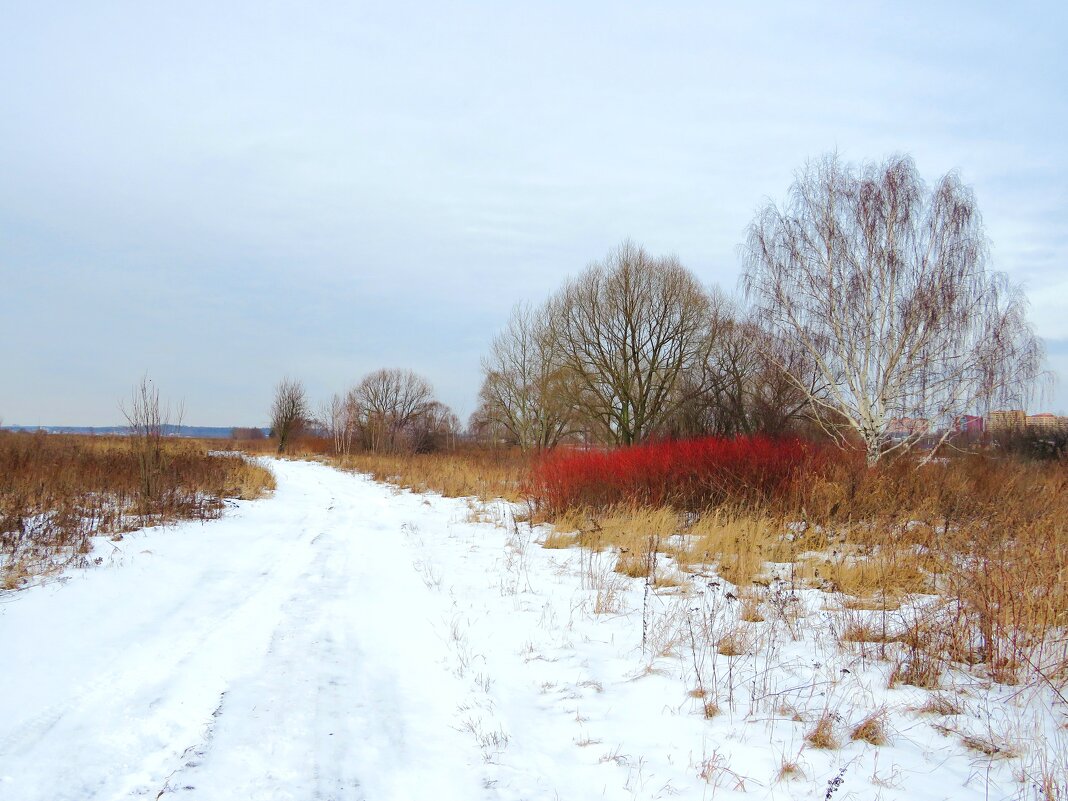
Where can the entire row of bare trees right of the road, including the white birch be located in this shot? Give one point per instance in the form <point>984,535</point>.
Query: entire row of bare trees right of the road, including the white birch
<point>870,319</point>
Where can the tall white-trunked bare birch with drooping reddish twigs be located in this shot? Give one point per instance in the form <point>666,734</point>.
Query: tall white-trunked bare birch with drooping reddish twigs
<point>884,287</point>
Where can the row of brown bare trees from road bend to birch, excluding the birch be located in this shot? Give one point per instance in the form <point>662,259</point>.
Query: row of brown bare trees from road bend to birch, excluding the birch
<point>633,349</point>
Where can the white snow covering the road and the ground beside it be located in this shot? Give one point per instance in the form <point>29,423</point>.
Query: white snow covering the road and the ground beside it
<point>344,641</point>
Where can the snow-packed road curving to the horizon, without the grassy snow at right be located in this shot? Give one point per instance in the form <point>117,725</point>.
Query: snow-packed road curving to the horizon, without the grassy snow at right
<point>288,651</point>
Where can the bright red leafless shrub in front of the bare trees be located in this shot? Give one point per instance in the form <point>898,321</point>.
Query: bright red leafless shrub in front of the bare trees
<point>689,475</point>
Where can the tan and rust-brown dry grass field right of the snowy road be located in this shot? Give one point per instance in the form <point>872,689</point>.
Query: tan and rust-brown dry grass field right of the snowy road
<point>990,536</point>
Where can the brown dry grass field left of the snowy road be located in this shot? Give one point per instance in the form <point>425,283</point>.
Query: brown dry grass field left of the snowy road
<point>59,491</point>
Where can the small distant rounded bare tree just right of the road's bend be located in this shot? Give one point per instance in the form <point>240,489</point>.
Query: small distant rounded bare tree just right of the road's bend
<point>388,403</point>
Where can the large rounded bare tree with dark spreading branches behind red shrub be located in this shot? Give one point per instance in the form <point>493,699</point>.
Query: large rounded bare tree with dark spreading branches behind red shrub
<point>630,329</point>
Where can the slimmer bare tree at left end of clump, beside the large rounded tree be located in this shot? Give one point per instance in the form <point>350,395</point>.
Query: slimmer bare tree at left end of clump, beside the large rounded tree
<point>524,390</point>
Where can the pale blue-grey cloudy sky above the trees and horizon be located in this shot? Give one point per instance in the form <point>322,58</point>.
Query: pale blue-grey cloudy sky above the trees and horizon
<point>219,195</point>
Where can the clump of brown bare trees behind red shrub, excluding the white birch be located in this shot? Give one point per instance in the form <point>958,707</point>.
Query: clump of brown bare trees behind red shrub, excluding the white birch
<point>636,349</point>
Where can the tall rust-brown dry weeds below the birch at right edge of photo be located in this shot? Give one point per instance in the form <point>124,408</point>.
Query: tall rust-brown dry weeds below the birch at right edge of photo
<point>992,537</point>
